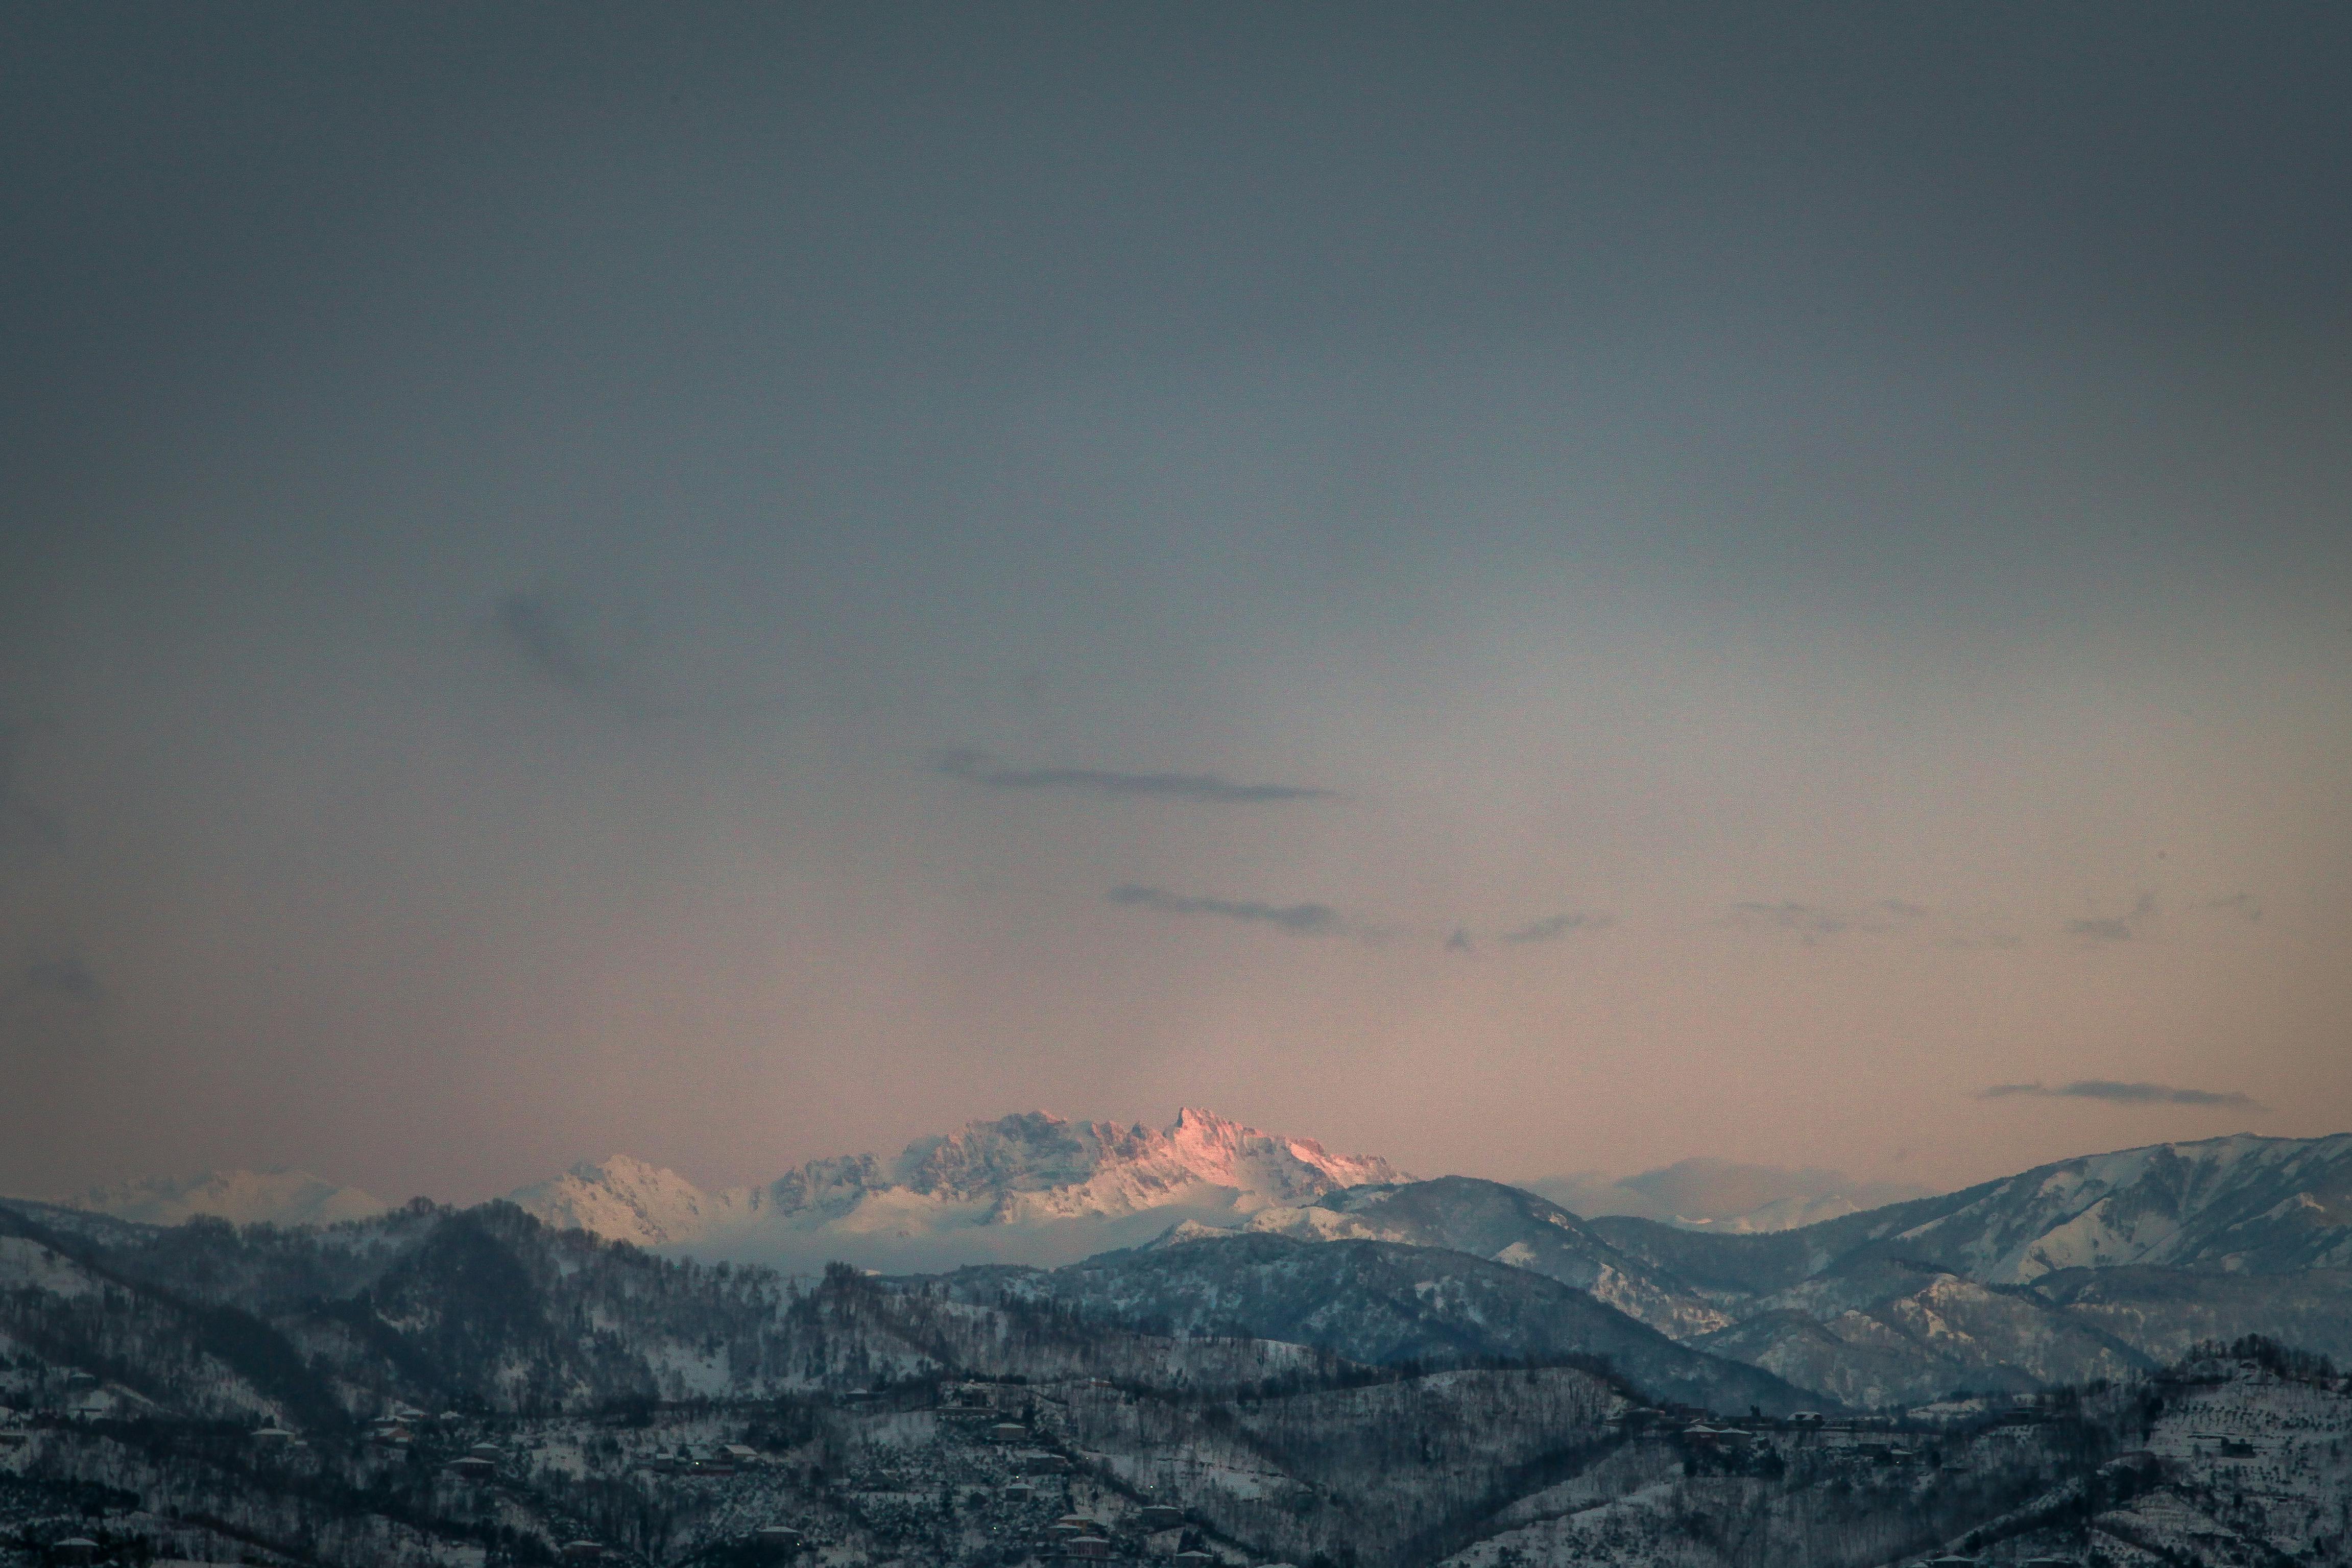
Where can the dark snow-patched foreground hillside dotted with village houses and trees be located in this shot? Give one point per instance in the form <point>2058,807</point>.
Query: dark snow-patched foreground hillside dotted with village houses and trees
<point>2229,1459</point>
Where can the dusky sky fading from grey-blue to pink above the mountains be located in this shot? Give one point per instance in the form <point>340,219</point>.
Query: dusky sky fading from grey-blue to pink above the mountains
<point>1516,589</point>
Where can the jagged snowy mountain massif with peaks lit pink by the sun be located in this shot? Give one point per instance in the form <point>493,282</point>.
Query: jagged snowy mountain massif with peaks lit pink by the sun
<point>1029,1188</point>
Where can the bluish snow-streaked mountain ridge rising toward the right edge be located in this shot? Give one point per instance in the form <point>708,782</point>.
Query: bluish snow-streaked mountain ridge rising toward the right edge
<point>2083,1268</point>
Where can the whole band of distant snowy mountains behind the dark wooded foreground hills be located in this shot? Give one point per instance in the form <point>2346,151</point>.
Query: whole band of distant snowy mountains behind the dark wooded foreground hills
<point>2085,1268</point>
